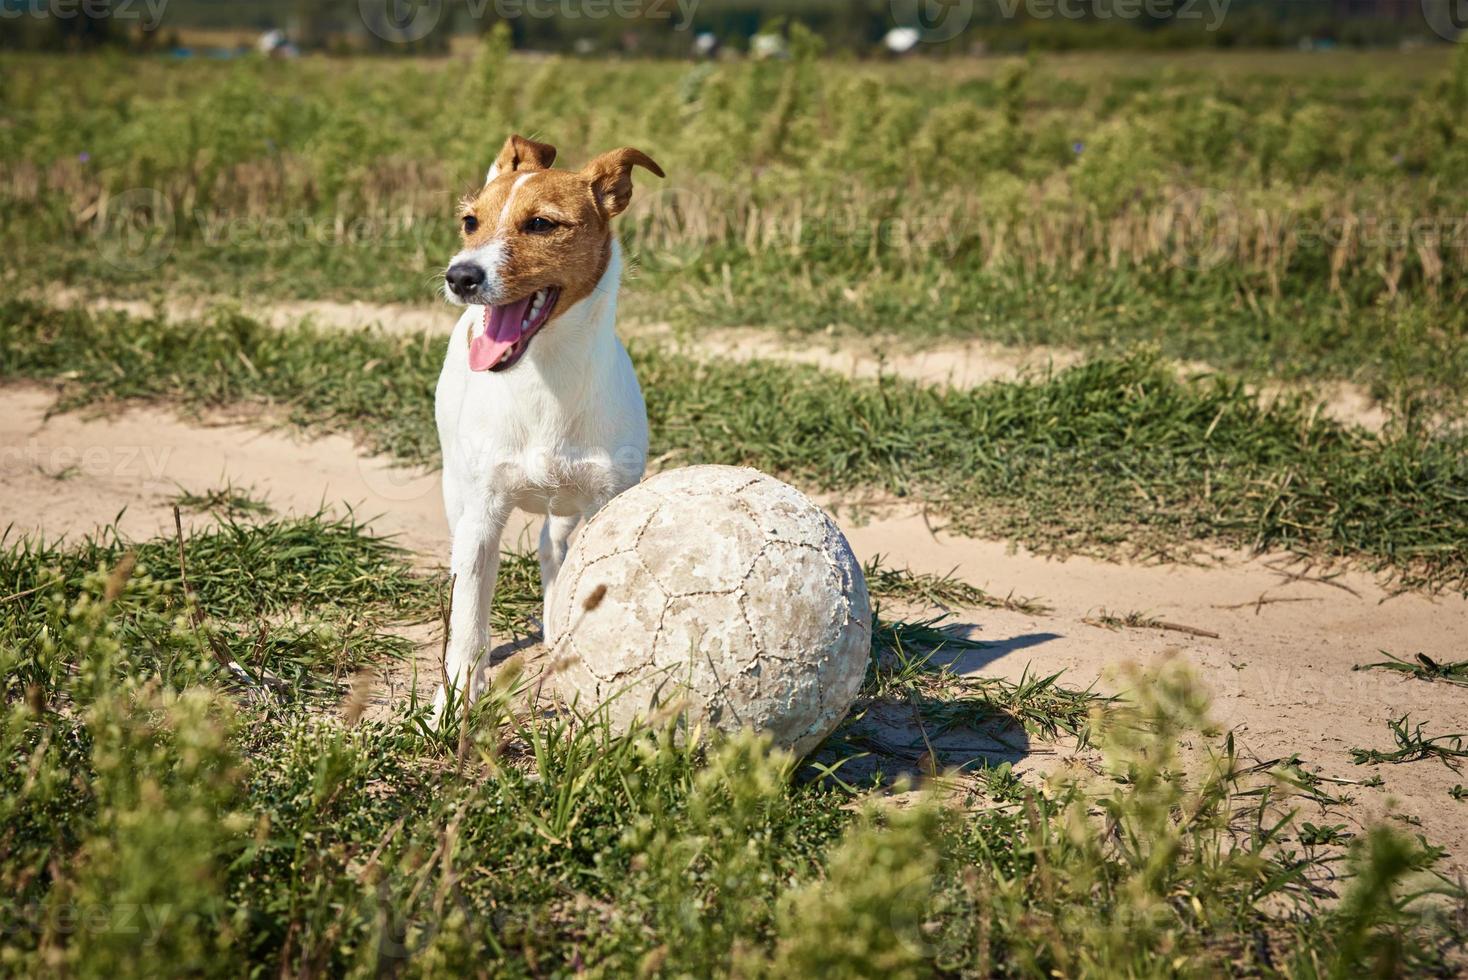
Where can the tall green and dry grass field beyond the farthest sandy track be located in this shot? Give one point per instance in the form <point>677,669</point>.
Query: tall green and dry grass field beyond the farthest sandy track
<point>1285,216</point>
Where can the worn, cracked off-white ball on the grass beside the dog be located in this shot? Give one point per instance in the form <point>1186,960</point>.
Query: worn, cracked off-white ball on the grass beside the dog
<point>717,596</point>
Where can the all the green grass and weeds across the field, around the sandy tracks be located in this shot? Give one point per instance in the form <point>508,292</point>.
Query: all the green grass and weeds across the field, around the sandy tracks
<point>158,822</point>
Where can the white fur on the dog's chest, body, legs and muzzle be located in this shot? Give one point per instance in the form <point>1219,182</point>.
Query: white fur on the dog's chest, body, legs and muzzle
<point>560,434</point>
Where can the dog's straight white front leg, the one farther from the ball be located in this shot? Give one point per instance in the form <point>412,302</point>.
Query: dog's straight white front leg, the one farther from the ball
<point>475,566</point>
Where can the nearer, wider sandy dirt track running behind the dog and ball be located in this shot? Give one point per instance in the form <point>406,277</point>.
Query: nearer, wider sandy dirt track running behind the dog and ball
<point>1281,670</point>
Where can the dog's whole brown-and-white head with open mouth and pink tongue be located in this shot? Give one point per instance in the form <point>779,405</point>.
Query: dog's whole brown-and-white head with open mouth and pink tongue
<point>537,241</point>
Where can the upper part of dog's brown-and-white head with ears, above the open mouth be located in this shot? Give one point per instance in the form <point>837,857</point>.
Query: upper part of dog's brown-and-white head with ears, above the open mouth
<point>532,228</point>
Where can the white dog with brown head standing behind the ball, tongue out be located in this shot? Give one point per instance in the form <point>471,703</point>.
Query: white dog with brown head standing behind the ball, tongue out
<point>538,406</point>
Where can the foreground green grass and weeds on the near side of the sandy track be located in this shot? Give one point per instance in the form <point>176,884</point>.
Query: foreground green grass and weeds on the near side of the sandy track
<point>159,827</point>
